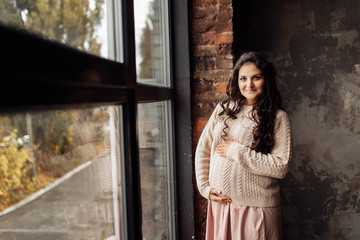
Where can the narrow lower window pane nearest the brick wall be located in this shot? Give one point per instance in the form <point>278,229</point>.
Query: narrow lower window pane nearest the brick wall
<point>156,171</point>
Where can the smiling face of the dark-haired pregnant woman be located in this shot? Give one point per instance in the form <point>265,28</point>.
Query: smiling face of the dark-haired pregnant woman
<point>251,82</point>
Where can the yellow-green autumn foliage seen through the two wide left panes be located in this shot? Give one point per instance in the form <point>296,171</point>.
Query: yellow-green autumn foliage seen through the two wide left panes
<point>71,22</point>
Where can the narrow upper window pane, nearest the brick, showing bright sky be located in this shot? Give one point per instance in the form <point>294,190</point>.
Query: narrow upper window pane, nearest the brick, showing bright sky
<point>152,42</point>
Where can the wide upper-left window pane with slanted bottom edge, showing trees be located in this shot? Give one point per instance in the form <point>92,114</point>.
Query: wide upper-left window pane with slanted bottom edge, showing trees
<point>83,24</point>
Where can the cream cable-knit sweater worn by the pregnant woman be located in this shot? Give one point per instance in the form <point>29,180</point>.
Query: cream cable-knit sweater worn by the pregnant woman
<point>248,177</point>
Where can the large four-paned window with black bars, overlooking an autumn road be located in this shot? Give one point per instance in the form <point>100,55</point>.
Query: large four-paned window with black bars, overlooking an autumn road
<point>86,131</point>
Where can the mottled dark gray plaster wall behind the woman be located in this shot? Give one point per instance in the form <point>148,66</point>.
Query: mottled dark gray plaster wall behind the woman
<point>315,47</point>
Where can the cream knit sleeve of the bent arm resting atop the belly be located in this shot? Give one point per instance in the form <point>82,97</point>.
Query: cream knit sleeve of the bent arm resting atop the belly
<point>275,164</point>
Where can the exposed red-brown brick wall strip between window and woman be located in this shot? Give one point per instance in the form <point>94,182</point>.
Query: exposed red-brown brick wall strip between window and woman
<point>212,62</point>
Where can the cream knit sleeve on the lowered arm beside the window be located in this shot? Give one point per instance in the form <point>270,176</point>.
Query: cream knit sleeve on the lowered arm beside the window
<point>203,152</point>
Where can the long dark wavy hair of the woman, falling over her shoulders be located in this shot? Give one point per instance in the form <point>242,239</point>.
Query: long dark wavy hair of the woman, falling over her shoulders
<point>263,111</point>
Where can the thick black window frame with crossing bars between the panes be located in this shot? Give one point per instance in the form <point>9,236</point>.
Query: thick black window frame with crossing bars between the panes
<point>38,74</point>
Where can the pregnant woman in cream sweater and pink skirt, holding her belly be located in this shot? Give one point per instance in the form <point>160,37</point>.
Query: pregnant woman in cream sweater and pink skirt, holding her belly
<point>244,148</point>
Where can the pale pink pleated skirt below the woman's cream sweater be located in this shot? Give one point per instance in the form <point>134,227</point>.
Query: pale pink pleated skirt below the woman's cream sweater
<point>231,221</point>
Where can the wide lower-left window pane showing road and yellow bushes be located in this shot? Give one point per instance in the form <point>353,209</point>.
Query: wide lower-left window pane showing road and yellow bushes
<point>60,175</point>
